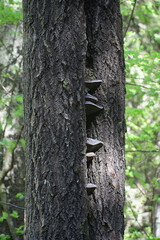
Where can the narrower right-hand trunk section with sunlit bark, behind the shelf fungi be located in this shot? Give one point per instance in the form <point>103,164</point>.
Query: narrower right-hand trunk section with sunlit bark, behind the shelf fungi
<point>105,60</point>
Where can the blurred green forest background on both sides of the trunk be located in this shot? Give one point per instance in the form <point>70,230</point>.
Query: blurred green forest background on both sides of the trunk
<point>141,30</point>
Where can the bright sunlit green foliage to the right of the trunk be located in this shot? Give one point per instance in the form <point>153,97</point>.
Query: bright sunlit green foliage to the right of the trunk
<point>142,111</point>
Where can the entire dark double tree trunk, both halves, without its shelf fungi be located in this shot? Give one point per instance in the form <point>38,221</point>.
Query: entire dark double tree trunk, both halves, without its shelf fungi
<point>66,43</point>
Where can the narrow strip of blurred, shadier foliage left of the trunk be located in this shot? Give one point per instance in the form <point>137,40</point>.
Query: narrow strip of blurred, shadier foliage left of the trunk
<point>11,108</point>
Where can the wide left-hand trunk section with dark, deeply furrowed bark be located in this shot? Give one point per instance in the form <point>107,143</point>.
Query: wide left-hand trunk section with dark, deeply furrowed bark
<point>54,67</point>
